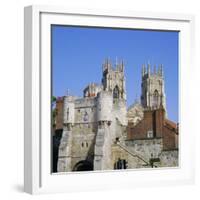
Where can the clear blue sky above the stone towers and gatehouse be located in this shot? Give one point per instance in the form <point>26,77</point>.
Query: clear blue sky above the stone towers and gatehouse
<point>78,54</point>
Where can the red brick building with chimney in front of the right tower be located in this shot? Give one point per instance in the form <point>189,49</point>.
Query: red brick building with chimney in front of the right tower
<point>155,125</point>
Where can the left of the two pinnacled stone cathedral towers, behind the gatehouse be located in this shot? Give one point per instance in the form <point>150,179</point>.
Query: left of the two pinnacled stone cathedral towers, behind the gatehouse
<point>113,79</point>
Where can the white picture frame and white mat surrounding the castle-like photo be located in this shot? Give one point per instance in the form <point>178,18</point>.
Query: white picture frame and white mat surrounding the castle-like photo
<point>37,146</point>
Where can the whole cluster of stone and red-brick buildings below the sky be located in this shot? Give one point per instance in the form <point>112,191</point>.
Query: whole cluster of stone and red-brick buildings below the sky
<point>100,133</point>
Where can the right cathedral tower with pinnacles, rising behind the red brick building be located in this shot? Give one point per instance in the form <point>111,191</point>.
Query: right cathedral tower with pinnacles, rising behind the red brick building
<point>153,91</point>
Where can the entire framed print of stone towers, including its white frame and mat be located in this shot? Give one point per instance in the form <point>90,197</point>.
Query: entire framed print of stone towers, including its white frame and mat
<point>105,99</point>
